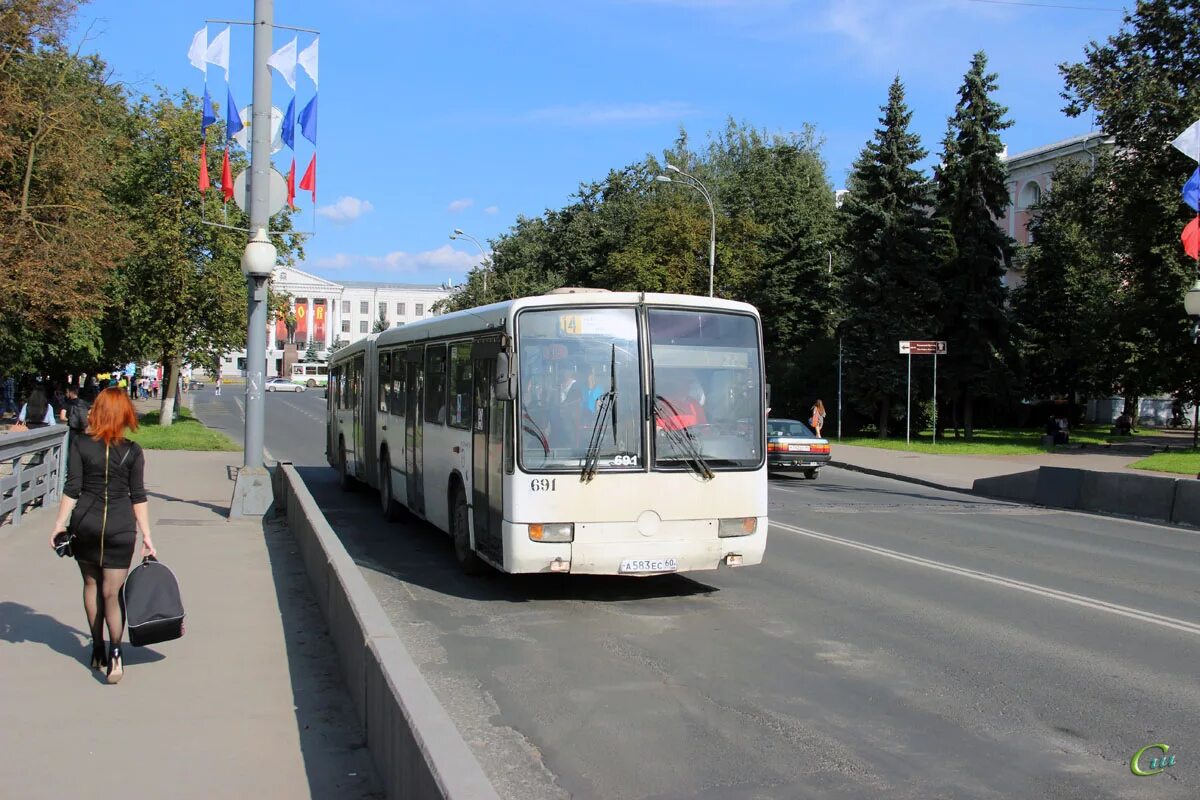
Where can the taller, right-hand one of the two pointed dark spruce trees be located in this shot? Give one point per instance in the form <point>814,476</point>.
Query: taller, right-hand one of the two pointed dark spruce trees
<point>974,252</point>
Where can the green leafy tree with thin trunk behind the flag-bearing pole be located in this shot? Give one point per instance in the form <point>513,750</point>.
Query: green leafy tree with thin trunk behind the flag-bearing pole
<point>182,296</point>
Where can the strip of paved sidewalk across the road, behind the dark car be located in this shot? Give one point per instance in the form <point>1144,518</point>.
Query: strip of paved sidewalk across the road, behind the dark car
<point>959,473</point>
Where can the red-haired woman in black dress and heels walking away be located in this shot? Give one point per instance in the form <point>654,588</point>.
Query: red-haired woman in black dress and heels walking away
<point>105,501</point>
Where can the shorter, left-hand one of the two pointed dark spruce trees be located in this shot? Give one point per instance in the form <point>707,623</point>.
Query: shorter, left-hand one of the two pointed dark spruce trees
<point>890,288</point>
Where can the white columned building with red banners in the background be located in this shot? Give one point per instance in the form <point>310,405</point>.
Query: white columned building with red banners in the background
<point>329,312</point>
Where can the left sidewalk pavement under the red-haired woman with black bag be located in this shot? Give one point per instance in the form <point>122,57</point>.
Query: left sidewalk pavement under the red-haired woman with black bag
<point>249,705</point>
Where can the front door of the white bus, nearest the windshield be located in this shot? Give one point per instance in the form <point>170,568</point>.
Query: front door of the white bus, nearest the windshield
<point>488,453</point>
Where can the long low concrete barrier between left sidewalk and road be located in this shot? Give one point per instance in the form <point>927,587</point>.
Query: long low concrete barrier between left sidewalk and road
<point>416,747</point>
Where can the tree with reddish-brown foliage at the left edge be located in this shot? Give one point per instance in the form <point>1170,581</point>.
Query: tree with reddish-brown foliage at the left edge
<point>63,135</point>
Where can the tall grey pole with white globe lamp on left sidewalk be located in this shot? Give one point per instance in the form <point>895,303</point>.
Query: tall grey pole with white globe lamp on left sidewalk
<point>253,489</point>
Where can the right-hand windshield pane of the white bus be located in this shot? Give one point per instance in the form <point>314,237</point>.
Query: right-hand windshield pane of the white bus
<point>707,389</point>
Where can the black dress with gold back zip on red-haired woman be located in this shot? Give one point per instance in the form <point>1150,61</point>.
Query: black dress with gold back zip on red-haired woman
<point>105,539</point>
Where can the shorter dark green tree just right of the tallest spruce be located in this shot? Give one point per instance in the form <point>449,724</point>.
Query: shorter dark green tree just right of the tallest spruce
<point>1066,305</point>
